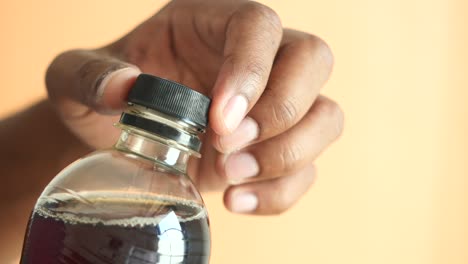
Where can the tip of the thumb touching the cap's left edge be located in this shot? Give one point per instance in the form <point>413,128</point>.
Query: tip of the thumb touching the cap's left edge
<point>113,91</point>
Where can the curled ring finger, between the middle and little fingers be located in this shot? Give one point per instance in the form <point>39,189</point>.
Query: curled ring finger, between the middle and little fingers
<point>289,152</point>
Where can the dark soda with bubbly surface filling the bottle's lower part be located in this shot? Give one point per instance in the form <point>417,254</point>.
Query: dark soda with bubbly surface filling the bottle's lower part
<point>108,228</point>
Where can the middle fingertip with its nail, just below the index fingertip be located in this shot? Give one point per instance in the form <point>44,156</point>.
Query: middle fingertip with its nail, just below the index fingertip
<point>244,134</point>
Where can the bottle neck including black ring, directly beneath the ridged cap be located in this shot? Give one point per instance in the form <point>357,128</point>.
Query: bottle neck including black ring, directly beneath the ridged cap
<point>158,137</point>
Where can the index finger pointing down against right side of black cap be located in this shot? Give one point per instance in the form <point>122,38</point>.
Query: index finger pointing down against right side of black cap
<point>253,34</point>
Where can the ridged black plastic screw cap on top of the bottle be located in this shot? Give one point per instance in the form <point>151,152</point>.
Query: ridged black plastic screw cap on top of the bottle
<point>170,98</point>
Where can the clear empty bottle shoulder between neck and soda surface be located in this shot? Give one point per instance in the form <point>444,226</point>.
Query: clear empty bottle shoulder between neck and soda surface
<point>122,173</point>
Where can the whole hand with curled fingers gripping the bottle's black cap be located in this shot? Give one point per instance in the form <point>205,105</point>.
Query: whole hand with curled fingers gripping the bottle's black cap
<point>268,122</point>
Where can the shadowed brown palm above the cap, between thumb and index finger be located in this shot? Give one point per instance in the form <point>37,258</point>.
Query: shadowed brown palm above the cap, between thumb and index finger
<point>173,50</point>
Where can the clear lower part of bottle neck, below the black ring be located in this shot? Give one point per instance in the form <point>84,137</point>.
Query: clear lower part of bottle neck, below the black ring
<point>132,141</point>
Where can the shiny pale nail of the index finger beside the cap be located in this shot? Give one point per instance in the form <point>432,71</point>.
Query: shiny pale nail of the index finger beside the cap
<point>234,112</point>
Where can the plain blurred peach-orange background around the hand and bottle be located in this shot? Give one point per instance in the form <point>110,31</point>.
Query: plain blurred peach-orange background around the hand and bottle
<point>392,190</point>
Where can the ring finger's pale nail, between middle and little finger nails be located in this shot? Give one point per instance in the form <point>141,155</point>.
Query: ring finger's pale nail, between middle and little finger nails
<point>240,166</point>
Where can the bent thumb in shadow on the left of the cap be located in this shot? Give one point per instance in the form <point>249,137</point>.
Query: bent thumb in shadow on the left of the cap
<point>91,79</point>
